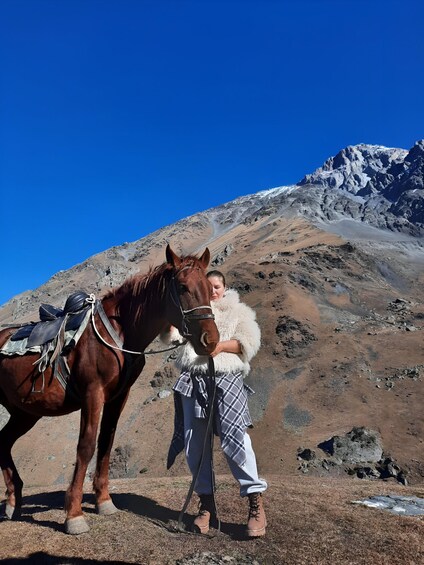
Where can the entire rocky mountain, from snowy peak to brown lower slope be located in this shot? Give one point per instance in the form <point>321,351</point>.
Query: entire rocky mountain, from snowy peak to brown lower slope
<point>334,267</point>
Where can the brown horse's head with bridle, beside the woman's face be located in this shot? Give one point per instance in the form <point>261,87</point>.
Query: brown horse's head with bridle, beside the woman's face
<point>188,304</point>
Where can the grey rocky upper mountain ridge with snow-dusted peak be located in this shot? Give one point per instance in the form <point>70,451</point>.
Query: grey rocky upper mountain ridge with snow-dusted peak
<point>347,186</point>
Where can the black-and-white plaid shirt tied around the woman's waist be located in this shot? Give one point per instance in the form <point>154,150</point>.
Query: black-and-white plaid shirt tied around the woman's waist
<point>231,411</point>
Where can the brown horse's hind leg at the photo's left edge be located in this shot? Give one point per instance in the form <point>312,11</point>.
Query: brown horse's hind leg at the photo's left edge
<point>19,424</point>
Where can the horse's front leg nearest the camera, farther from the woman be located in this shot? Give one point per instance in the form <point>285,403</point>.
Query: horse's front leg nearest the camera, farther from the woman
<point>90,415</point>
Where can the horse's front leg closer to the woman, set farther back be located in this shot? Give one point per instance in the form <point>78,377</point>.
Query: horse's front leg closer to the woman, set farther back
<point>111,413</point>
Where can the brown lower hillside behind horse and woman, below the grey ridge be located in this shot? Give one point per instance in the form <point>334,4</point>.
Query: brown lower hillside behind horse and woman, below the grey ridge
<point>335,348</point>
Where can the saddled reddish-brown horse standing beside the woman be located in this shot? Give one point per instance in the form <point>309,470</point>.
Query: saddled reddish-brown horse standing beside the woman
<point>176,293</point>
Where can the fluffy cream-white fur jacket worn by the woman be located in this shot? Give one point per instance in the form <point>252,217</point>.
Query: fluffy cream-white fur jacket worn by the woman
<point>234,320</point>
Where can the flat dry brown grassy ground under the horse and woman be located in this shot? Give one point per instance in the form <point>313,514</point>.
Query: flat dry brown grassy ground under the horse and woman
<point>310,521</point>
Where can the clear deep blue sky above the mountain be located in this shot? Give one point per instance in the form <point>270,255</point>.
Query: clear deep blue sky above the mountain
<point>120,117</point>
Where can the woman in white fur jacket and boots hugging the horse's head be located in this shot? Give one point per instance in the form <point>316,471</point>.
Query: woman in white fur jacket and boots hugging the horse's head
<point>239,342</point>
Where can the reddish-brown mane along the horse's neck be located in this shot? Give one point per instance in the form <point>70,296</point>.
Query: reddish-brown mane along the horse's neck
<point>136,293</point>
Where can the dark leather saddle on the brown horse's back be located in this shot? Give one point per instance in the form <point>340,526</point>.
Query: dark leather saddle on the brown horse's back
<point>54,321</point>
